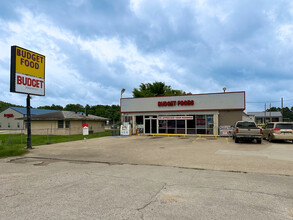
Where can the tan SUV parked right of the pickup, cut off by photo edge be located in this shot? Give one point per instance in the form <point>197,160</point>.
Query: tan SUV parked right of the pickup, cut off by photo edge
<point>278,131</point>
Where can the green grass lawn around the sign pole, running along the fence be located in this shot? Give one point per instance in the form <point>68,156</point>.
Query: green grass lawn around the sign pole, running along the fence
<point>15,144</point>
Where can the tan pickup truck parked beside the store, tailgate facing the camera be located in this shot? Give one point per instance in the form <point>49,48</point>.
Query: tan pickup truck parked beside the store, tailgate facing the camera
<point>246,130</point>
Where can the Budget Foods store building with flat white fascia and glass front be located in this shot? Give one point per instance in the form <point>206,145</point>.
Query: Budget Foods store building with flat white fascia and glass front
<point>186,114</point>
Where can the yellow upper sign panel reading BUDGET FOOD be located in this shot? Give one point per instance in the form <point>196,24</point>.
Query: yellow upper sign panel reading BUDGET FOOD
<point>29,63</point>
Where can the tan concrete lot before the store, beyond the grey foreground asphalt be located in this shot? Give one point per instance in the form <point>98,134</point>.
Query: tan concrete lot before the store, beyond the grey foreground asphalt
<point>211,154</point>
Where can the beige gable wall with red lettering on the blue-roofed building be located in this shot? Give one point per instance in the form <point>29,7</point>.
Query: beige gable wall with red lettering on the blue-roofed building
<point>13,122</point>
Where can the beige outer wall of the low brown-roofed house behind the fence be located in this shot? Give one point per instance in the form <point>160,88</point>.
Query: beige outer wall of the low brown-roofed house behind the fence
<point>51,127</point>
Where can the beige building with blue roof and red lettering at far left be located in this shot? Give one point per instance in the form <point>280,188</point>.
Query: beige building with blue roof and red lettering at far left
<point>10,117</point>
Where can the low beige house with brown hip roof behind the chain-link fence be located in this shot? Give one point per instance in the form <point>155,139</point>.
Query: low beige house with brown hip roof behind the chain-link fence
<point>66,123</point>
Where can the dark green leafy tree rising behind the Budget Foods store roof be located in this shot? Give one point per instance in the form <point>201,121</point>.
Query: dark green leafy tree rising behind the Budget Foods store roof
<point>155,89</point>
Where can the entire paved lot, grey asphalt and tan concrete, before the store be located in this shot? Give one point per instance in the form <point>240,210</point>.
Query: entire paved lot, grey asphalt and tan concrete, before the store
<point>149,178</point>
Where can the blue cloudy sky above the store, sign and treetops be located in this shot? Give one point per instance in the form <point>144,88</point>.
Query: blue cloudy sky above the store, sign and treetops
<point>95,48</point>
